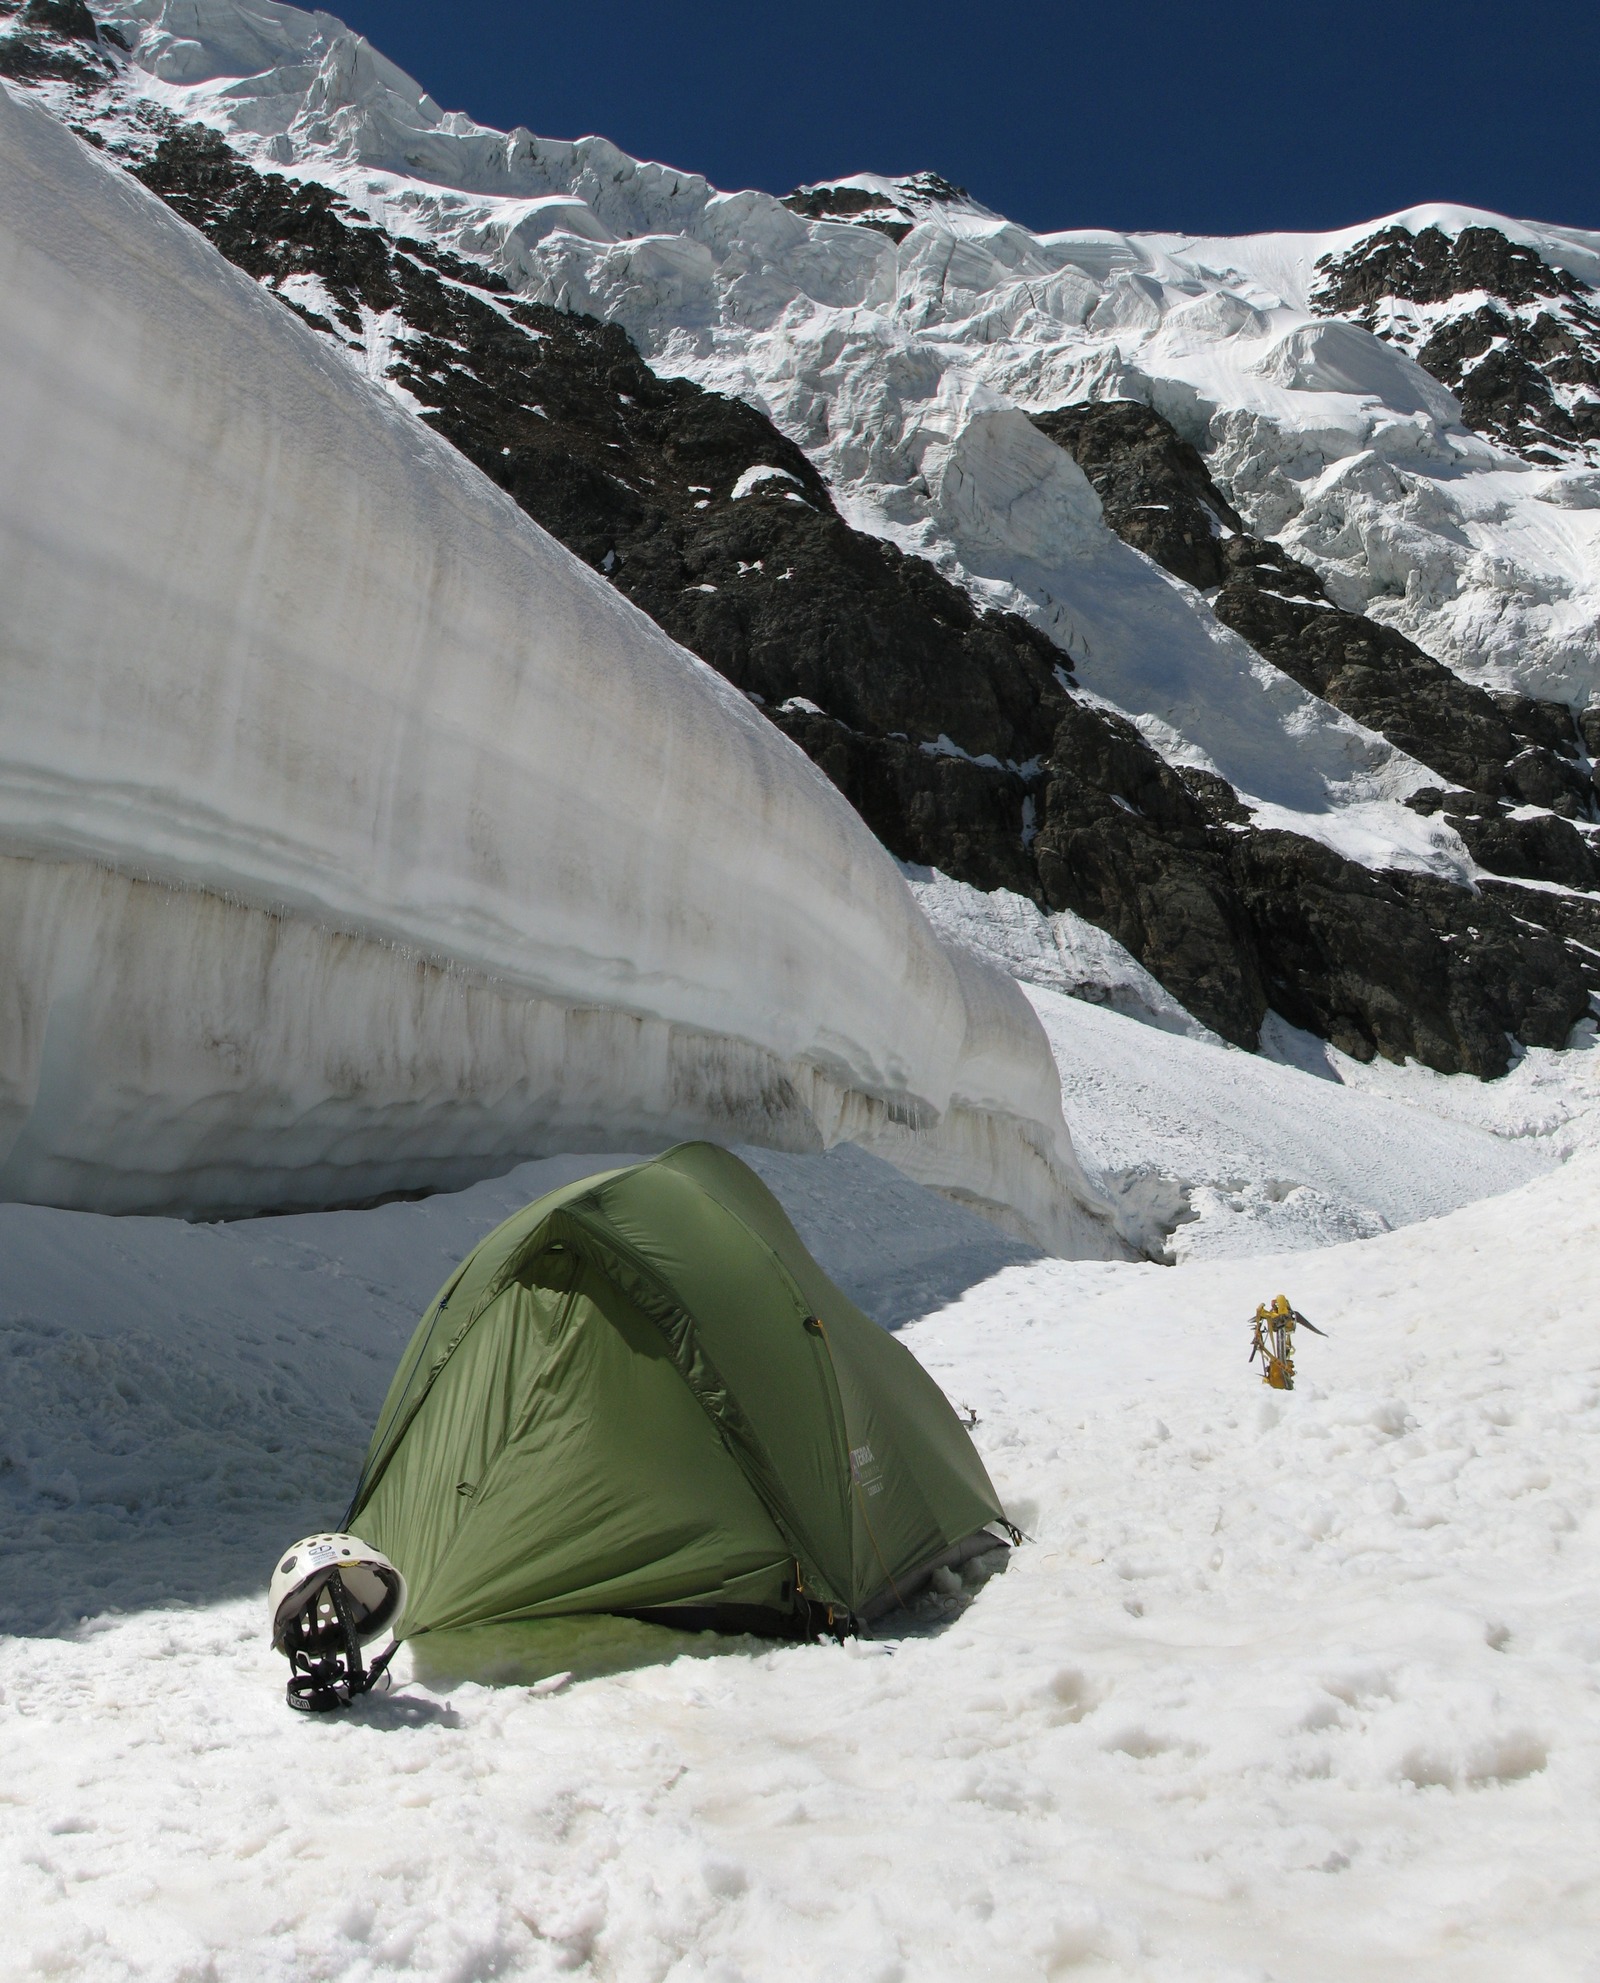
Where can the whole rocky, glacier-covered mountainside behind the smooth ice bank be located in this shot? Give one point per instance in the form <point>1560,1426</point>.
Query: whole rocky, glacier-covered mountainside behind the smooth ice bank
<point>1240,598</point>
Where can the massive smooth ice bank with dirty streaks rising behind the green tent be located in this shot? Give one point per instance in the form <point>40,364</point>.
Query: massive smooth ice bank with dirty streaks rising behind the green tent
<point>358,838</point>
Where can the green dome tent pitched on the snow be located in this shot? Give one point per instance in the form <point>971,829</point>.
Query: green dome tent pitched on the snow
<point>641,1395</point>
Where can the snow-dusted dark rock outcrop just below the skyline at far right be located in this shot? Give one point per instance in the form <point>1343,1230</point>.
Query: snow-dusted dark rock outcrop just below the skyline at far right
<point>1526,364</point>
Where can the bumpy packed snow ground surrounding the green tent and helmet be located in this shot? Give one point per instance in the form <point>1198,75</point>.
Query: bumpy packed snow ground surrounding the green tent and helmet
<point>1280,1687</point>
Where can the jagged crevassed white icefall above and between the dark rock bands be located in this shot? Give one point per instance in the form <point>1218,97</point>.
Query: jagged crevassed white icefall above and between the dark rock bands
<point>907,370</point>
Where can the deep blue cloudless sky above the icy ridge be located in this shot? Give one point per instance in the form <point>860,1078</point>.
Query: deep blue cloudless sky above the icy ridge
<point>1167,114</point>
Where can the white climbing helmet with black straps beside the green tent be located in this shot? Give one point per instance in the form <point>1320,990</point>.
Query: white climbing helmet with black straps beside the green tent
<point>330,1595</point>
